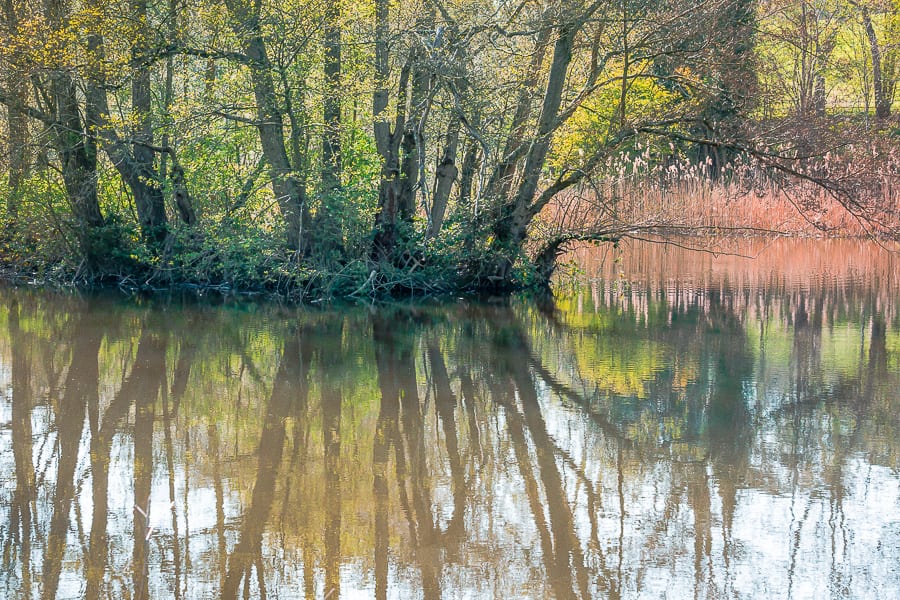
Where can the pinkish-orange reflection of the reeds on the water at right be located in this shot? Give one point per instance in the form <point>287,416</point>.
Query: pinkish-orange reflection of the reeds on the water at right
<point>846,274</point>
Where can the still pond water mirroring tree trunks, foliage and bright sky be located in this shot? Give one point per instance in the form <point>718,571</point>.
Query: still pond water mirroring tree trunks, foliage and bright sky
<point>675,425</point>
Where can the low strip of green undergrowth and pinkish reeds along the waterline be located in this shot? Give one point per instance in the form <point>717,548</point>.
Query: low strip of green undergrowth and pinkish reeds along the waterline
<point>673,202</point>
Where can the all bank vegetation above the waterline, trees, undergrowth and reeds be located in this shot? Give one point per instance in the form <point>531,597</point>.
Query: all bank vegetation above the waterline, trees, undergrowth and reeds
<point>377,147</point>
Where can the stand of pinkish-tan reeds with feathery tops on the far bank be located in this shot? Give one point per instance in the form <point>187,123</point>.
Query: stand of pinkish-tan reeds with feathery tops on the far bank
<point>852,195</point>
